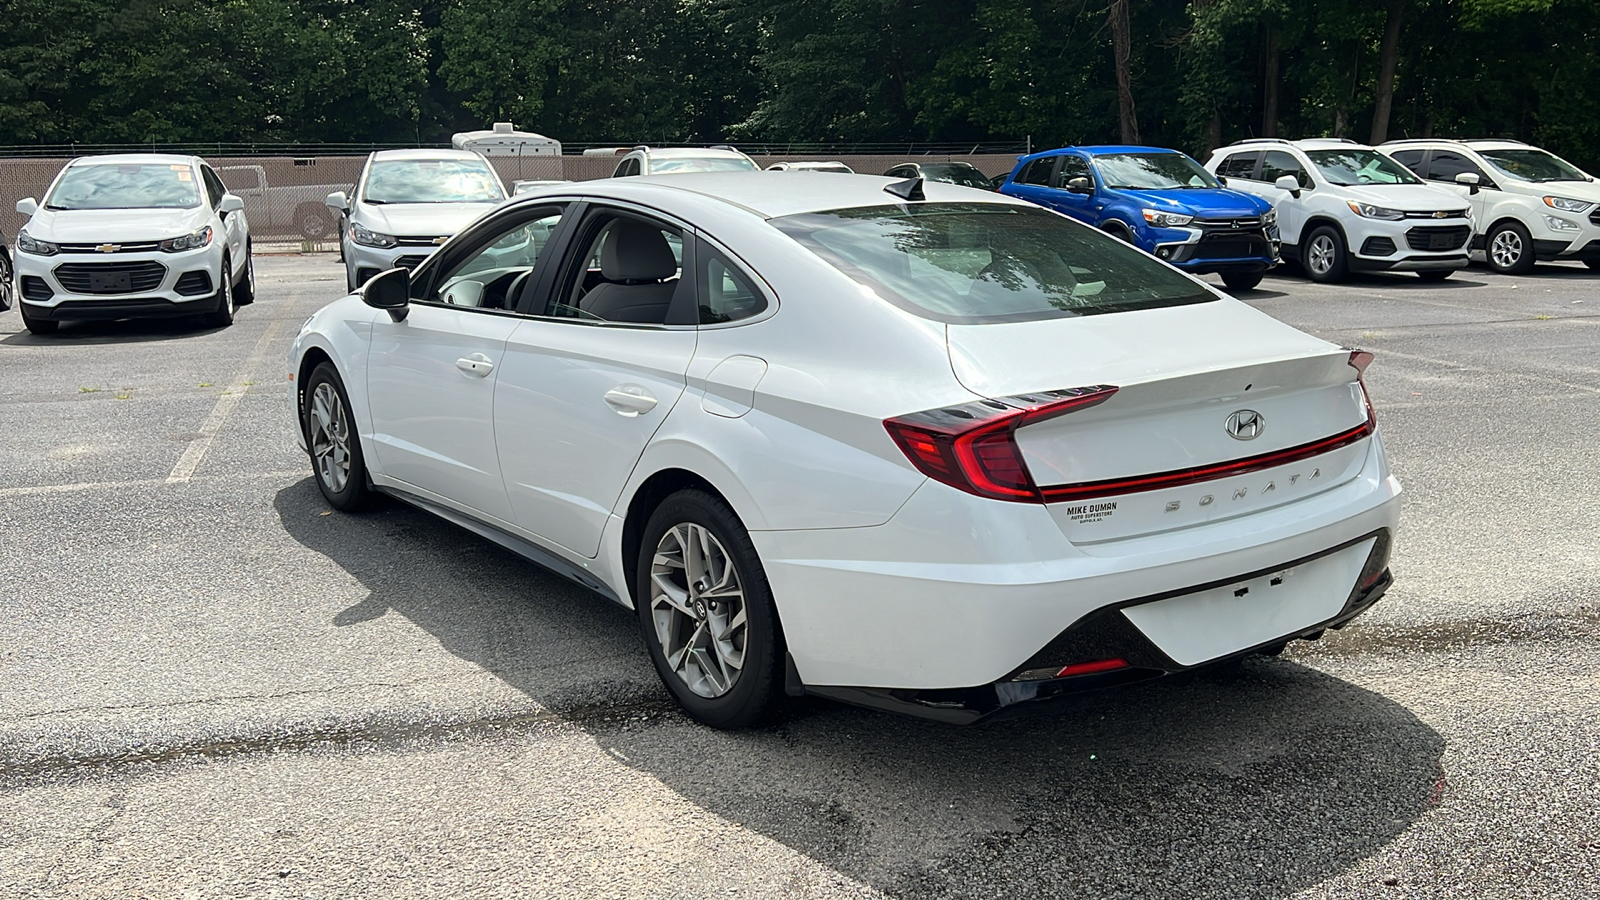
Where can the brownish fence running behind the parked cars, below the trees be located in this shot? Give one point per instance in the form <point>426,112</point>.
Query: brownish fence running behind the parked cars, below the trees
<point>284,195</point>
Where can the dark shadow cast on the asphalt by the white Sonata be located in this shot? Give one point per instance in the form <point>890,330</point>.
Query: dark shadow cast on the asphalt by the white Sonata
<point>1257,782</point>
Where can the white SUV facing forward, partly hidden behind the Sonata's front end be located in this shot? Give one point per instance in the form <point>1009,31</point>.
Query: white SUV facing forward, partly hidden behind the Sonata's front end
<point>407,204</point>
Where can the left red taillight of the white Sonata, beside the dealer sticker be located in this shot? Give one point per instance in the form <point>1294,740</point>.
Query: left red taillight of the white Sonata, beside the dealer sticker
<point>974,446</point>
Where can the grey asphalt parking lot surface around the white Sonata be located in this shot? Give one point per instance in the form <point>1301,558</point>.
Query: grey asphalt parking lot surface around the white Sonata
<point>214,686</point>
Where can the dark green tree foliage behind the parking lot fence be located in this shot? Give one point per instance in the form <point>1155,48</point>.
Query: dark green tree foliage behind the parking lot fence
<point>884,71</point>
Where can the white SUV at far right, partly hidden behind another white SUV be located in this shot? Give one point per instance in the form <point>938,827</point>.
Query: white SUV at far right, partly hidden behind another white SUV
<point>1529,204</point>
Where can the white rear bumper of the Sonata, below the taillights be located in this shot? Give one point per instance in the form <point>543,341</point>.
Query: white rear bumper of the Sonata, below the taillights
<point>958,592</point>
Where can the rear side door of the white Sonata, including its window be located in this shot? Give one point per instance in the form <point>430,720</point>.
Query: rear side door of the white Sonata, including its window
<point>588,382</point>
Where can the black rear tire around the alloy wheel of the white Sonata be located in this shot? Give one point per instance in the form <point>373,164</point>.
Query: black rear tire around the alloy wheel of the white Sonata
<point>756,696</point>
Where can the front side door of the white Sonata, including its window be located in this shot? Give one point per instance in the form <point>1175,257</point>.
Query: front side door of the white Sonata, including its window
<point>431,379</point>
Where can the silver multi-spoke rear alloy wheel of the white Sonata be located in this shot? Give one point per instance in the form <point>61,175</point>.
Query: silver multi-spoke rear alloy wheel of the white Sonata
<point>697,605</point>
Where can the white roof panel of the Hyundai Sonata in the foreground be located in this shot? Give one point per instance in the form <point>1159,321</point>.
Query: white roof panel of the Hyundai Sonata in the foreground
<point>770,195</point>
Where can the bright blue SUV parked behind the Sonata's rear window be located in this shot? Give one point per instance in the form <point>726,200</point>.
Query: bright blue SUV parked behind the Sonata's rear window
<point>1159,201</point>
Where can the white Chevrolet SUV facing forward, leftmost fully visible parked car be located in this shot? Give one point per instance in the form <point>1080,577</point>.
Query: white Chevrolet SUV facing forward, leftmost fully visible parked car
<point>134,236</point>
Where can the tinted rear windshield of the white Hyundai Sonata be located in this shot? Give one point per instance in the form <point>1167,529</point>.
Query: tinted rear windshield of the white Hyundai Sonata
<point>969,263</point>
